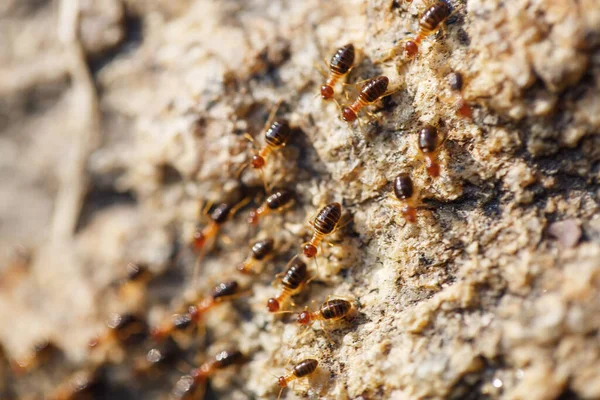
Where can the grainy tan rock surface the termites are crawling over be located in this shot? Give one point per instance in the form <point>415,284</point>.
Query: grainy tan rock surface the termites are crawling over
<point>118,123</point>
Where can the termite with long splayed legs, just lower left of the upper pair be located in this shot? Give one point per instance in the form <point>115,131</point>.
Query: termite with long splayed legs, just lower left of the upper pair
<point>276,137</point>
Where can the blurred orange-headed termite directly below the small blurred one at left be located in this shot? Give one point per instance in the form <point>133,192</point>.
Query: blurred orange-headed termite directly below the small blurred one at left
<point>125,329</point>
